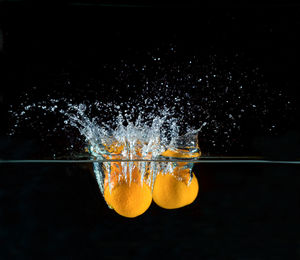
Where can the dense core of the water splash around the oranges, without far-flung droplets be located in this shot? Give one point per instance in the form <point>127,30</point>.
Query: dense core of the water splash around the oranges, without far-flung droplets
<point>151,138</point>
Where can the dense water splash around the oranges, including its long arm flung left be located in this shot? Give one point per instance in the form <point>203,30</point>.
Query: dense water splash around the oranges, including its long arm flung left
<point>131,134</point>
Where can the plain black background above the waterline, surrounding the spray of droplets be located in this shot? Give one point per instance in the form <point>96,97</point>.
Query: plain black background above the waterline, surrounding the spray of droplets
<point>45,46</point>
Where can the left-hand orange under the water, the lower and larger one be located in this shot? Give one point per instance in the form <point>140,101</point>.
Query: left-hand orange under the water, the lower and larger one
<point>128,199</point>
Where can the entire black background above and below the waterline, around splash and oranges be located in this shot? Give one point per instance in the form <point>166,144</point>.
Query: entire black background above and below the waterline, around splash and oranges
<point>243,212</point>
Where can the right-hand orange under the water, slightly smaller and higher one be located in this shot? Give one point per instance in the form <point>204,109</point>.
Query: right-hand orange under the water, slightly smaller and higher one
<point>170,192</point>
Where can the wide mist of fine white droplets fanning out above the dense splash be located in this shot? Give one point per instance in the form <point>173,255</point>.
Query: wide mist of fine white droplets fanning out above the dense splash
<point>163,90</point>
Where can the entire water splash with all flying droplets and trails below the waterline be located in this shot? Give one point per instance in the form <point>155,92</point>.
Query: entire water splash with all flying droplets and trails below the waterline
<point>182,90</point>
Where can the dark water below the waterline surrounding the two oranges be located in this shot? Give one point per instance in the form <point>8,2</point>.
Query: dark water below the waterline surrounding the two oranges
<point>243,211</point>
